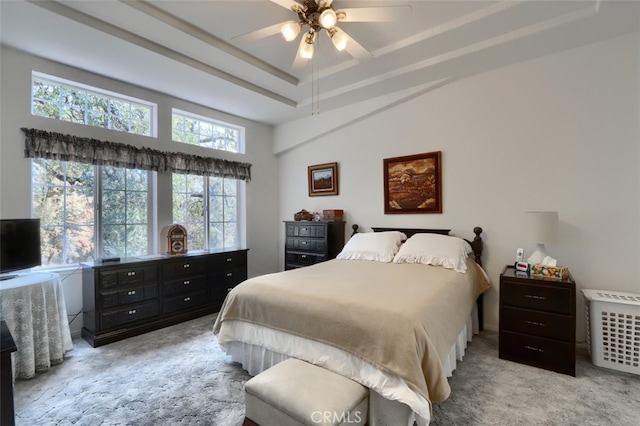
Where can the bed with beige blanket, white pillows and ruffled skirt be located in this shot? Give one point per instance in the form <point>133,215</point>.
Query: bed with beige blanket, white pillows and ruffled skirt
<point>394,312</point>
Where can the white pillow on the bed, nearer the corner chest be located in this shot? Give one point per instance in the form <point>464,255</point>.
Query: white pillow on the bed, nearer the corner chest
<point>376,246</point>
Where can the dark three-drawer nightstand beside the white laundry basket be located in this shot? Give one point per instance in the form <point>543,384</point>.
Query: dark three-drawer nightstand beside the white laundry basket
<point>538,321</point>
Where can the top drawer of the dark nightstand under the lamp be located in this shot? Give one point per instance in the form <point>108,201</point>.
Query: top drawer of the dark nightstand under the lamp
<point>537,297</point>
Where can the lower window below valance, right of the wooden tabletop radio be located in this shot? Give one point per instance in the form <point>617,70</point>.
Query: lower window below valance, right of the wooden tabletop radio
<point>208,207</point>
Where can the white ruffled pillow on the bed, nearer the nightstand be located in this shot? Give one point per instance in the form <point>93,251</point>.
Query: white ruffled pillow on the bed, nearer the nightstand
<point>435,249</point>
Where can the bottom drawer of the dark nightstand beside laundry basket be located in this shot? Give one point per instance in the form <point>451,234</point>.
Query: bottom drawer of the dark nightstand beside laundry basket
<point>538,352</point>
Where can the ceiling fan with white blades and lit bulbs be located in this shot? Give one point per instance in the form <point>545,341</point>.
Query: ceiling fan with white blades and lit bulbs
<point>319,16</point>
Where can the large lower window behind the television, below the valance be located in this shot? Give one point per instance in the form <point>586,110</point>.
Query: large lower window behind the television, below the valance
<point>88,212</point>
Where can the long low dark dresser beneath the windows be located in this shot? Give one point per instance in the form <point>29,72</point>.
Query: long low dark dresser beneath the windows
<point>138,295</point>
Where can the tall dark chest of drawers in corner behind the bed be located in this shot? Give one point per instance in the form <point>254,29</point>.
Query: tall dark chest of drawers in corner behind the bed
<point>307,243</point>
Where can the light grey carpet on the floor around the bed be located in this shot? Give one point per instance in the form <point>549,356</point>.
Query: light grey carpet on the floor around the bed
<point>179,376</point>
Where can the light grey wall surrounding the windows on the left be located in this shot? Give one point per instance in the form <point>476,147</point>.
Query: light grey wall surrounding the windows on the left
<point>15,178</point>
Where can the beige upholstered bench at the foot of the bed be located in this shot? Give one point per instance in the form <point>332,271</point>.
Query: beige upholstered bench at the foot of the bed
<point>296,393</point>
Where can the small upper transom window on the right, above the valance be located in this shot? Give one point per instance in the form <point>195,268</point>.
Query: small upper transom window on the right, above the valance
<point>205,132</point>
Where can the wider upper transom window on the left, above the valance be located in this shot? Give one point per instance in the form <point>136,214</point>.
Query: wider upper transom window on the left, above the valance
<point>64,100</point>
